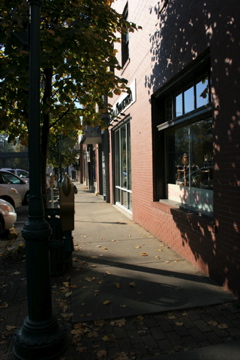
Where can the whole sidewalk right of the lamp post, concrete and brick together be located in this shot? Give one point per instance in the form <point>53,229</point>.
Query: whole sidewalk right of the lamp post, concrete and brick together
<point>131,297</point>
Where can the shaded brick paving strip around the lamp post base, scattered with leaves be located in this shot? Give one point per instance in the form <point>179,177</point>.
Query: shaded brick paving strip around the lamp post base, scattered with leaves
<point>130,338</point>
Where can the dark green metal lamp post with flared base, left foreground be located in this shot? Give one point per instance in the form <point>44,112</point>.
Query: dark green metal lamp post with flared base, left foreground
<point>40,336</point>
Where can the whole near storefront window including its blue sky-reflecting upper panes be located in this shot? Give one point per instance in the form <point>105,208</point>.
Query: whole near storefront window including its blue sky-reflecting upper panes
<point>188,145</point>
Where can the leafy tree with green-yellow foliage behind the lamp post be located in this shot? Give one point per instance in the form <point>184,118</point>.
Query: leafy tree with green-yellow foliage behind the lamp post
<point>77,65</point>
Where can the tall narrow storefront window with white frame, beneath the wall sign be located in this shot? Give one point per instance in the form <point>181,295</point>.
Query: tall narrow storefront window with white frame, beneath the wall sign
<point>123,173</point>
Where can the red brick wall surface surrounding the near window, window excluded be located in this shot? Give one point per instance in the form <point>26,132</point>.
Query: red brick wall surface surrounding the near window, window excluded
<point>165,46</point>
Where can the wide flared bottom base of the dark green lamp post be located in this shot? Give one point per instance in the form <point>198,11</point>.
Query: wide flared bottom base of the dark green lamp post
<point>40,340</point>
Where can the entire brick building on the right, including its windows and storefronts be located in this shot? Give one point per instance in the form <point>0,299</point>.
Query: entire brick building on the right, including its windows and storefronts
<point>171,157</point>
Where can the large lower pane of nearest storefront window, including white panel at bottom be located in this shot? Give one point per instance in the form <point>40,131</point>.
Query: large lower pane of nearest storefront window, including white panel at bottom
<point>189,172</point>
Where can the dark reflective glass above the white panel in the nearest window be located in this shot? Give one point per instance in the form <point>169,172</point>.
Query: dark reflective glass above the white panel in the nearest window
<point>190,155</point>
